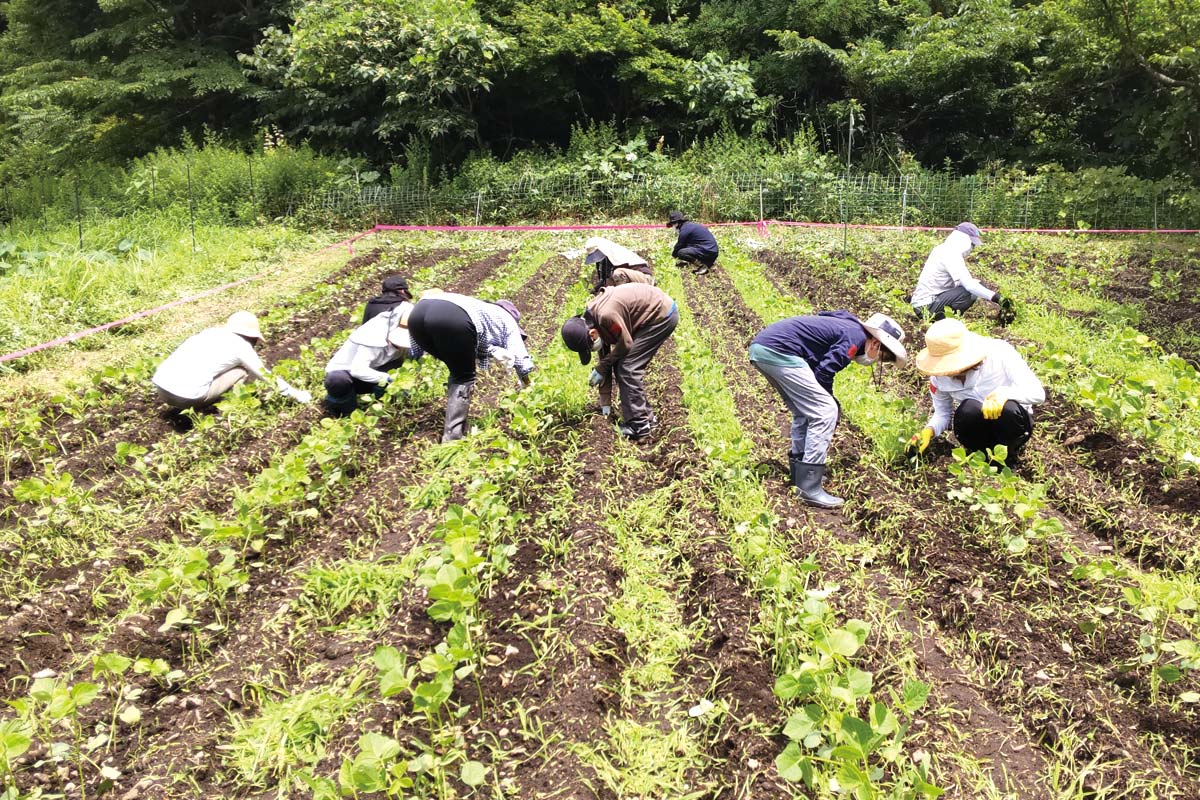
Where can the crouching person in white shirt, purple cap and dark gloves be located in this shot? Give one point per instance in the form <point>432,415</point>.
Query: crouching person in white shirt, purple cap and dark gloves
<point>946,282</point>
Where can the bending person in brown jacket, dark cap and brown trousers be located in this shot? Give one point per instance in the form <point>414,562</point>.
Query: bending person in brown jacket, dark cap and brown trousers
<point>632,322</point>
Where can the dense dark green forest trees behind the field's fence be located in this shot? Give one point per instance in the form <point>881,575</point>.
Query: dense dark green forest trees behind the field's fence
<point>967,86</point>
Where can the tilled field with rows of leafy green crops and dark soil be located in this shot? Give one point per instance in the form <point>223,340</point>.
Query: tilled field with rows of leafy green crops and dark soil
<point>262,599</point>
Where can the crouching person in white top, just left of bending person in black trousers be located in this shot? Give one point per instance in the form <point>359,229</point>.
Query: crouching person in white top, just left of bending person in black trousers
<point>362,365</point>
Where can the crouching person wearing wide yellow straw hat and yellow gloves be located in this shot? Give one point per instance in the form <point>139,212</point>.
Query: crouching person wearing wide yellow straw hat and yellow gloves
<point>981,386</point>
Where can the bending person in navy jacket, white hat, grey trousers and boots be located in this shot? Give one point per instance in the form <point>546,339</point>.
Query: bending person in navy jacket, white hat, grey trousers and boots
<point>800,358</point>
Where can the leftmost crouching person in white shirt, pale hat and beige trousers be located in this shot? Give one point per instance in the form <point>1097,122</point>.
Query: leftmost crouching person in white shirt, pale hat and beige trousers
<point>212,363</point>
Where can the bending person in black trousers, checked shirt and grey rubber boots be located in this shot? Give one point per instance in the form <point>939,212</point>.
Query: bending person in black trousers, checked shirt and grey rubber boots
<point>465,333</point>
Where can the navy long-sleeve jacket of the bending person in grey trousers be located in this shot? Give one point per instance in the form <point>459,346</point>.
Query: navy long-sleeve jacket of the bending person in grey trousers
<point>827,342</point>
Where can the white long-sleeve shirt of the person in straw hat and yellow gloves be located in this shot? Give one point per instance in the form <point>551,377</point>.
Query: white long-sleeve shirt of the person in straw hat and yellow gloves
<point>1003,369</point>
